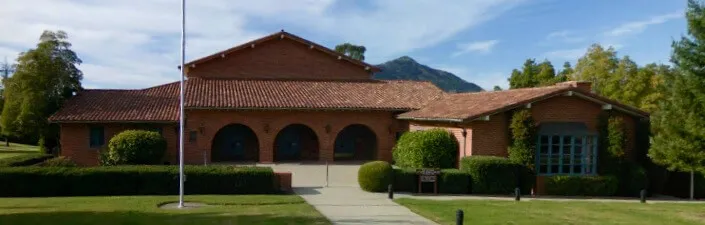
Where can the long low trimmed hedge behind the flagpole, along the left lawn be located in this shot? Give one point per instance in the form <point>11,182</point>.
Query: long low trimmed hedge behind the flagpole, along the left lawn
<point>133,180</point>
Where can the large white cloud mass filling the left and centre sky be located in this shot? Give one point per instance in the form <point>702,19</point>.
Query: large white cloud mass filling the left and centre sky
<point>135,43</point>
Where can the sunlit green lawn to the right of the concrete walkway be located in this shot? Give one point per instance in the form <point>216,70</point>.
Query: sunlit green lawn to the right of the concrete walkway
<point>555,212</point>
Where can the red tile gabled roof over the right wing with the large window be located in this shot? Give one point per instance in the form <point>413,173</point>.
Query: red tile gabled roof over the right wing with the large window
<point>469,106</point>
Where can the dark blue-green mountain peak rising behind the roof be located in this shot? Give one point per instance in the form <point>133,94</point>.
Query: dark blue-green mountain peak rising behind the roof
<point>406,68</point>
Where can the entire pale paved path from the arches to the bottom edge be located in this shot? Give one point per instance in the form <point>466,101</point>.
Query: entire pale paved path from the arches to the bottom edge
<point>342,201</point>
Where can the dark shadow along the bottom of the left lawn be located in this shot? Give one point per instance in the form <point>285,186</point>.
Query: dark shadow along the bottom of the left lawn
<point>151,218</point>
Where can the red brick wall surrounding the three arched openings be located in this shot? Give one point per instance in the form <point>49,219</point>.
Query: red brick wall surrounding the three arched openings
<point>267,124</point>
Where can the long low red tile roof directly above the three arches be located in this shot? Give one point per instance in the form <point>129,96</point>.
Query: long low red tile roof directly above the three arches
<point>161,103</point>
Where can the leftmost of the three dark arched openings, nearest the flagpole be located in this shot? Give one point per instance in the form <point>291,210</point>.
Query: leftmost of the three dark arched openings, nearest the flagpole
<point>235,142</point>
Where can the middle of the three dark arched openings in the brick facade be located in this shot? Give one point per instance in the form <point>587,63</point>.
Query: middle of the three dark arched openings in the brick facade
<point>296,142</point>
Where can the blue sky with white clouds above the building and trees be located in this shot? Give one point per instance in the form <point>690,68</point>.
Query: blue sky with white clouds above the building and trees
<point>135,43</point>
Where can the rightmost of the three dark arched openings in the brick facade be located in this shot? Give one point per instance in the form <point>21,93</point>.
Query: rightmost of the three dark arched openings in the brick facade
<point>356,142</point>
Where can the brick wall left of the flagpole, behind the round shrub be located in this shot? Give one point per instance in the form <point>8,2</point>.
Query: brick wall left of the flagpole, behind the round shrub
<point>75,141</point>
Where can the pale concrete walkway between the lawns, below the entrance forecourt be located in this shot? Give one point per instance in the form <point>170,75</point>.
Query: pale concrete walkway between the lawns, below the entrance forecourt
<point>352,206</point>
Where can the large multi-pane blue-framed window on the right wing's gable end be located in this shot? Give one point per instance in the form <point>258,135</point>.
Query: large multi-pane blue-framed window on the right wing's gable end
<point>566,150</point>
